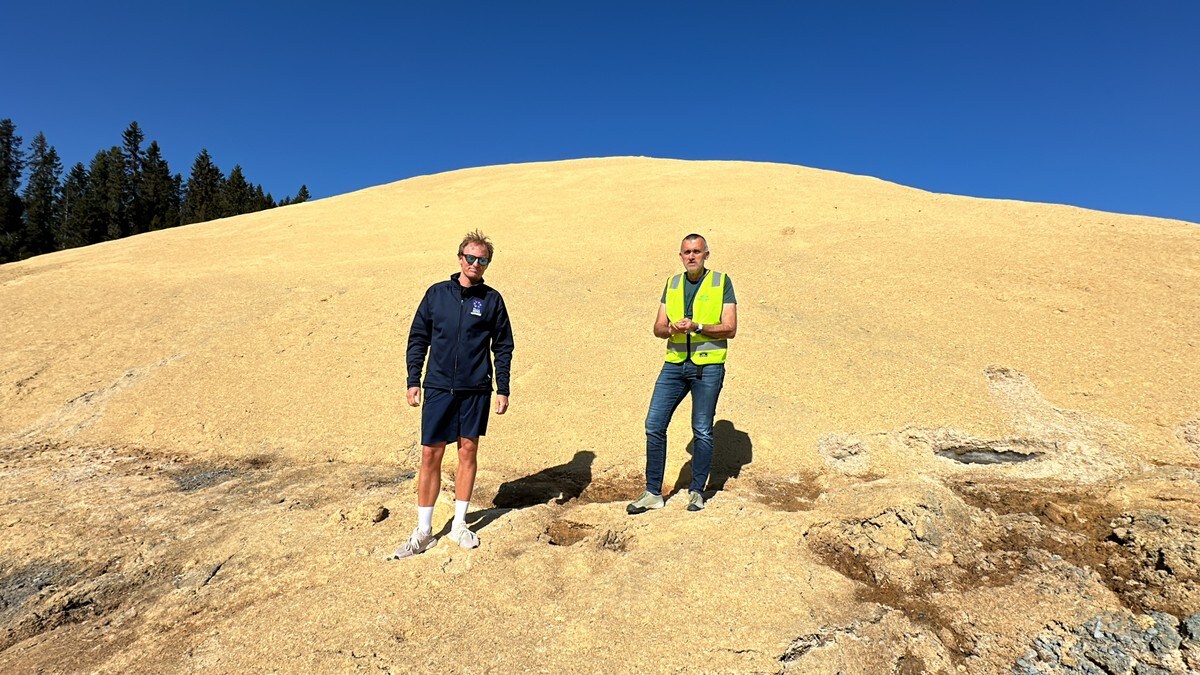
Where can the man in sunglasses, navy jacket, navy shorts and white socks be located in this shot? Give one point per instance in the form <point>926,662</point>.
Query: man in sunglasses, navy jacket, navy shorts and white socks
<point>458,324</point>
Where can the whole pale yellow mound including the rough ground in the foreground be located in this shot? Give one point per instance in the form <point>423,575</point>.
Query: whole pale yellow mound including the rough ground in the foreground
<point>956,435</point>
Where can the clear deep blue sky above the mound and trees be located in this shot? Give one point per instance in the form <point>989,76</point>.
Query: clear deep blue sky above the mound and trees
<point>1089,104</point>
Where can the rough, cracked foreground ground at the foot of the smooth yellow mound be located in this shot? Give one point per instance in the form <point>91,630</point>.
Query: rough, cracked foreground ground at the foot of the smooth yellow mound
<point>149,563</point>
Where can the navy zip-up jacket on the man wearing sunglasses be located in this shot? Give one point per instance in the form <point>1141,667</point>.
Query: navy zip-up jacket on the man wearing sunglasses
<point>459,326</point>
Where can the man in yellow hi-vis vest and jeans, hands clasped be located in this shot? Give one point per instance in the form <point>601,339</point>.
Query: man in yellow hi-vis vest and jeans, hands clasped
<point>698,316</point>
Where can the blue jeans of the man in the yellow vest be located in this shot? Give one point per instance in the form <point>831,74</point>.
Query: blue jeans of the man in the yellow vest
<point>674,384</point>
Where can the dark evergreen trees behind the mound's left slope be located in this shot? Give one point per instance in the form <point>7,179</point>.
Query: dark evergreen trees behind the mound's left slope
<point>125,190</point>
